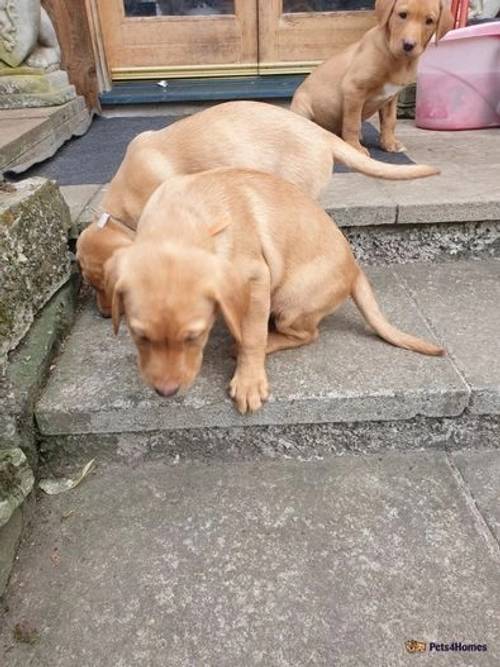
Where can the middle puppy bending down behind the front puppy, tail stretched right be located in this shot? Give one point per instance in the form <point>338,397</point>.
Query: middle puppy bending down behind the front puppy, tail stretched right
<point>234,134</point>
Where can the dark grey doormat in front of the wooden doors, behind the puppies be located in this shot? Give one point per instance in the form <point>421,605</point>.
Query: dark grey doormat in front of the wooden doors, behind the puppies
<point>95,157</point>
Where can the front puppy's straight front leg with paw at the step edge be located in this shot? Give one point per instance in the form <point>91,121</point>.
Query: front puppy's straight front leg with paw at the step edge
<point>249,387</point>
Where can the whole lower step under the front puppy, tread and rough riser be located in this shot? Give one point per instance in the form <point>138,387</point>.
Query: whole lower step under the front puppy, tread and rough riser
<point>349,390</point>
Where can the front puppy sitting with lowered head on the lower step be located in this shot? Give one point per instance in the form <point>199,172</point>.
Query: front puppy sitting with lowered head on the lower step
<point>251,246</point>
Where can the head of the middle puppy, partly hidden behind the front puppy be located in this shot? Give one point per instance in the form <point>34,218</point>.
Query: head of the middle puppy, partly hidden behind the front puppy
<point>93,249</point>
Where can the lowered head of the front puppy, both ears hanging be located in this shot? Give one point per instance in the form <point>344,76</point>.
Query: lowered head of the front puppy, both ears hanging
<point>170,297</point>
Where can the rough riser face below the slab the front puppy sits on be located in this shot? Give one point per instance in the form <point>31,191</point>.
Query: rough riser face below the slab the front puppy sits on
<point>300,441</point>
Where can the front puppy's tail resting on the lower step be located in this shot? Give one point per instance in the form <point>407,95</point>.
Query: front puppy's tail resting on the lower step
<point>365,300</point>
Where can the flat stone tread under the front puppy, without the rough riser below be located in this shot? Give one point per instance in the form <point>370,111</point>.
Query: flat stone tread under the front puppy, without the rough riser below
<point>349,375</point>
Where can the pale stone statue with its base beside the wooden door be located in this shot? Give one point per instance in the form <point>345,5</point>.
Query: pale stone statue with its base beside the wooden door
<point>30,74</point>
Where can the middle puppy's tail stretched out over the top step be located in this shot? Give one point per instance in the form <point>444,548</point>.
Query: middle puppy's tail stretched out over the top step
<point>354,159</point>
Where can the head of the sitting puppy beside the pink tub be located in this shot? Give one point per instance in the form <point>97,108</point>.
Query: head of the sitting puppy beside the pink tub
<point>410,24</point>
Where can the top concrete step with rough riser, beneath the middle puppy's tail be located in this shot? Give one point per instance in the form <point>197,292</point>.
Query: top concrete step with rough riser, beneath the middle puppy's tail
<point>456,214</point>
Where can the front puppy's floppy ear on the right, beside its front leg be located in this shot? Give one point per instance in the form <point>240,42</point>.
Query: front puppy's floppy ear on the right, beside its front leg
<point>232,295</point>
